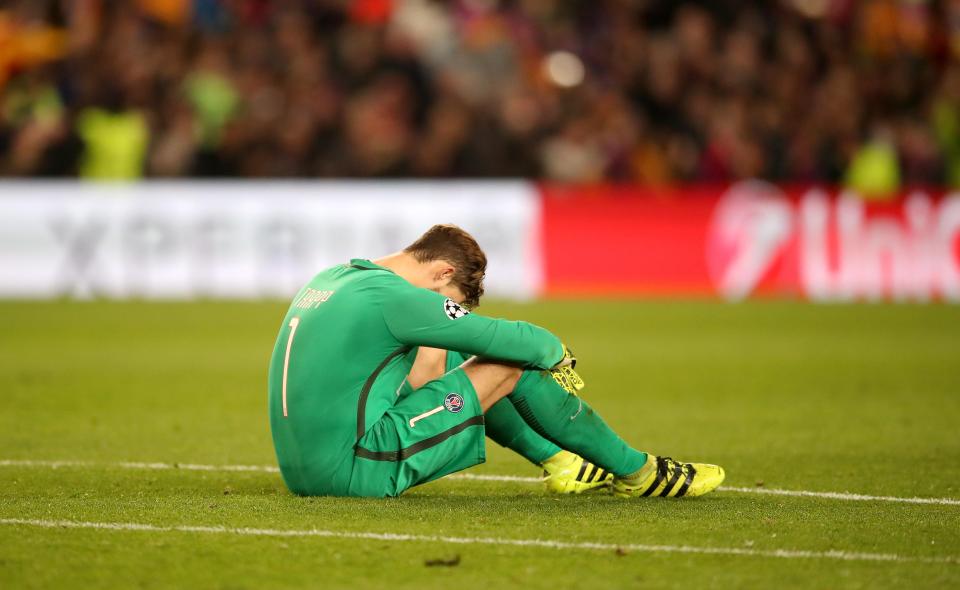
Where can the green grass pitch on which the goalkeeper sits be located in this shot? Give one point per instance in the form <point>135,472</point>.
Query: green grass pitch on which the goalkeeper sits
<point>862,399</point>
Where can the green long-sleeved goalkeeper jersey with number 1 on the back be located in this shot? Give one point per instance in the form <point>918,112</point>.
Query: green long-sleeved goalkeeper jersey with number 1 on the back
<point>343,353</point>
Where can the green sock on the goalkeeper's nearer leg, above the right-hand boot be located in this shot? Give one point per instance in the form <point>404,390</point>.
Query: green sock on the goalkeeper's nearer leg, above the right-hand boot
<point>570,423</point>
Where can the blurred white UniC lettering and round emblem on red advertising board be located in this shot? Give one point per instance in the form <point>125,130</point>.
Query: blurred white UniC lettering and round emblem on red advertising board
<point>834,249</point>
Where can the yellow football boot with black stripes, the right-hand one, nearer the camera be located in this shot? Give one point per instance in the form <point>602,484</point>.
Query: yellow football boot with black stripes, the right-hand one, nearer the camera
<point>666,478</point>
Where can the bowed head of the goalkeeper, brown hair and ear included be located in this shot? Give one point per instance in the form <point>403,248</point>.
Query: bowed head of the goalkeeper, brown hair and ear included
<point>456,263</point>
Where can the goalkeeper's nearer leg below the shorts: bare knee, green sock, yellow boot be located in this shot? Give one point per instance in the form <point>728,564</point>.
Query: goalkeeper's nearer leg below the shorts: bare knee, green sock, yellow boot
<point>570,422</point>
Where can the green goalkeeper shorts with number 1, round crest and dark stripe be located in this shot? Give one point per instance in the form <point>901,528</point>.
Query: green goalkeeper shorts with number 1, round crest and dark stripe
<point>430,432</point>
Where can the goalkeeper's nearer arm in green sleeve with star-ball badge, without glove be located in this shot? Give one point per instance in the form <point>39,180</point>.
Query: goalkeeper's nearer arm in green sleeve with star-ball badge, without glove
<point>424,318</point>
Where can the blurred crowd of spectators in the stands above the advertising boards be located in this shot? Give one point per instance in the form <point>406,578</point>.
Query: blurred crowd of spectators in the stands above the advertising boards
<point>864,93</point>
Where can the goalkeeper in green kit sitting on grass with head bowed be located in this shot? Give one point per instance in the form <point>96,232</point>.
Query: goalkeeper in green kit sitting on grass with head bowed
<point>381,379</point>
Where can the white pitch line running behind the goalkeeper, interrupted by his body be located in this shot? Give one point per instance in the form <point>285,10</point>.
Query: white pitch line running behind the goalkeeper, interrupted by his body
<point>846,496</point>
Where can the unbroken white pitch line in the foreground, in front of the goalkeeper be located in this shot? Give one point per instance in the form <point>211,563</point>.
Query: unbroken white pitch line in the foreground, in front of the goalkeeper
<point>540,543</point>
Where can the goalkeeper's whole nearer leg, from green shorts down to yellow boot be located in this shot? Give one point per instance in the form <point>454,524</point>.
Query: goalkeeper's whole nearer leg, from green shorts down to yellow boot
<point>437,430</point>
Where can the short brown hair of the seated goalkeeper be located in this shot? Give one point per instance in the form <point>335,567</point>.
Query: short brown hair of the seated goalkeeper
<point>449,242</point>
